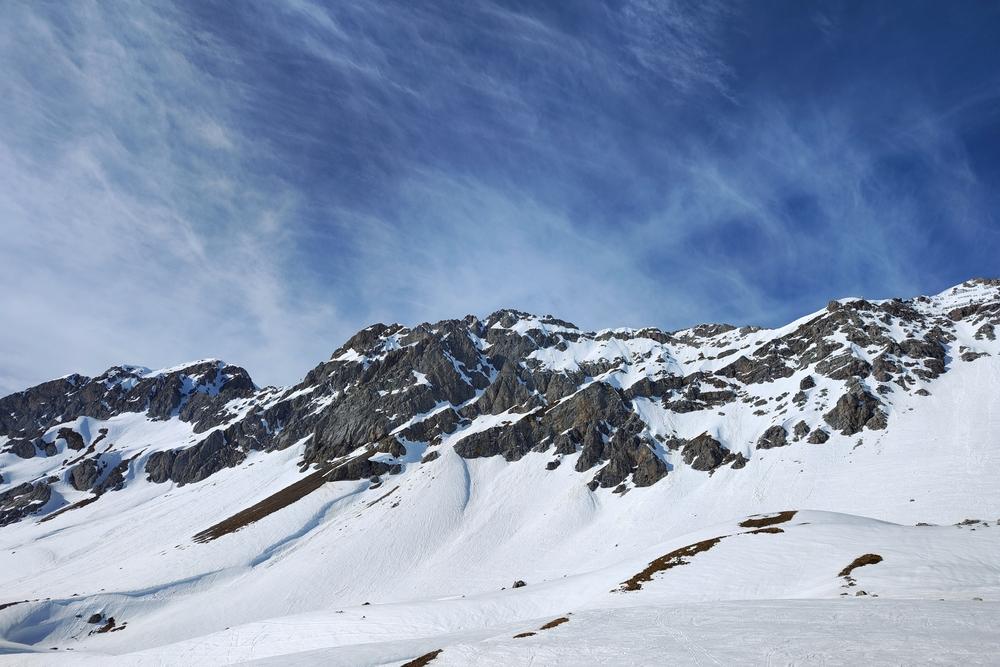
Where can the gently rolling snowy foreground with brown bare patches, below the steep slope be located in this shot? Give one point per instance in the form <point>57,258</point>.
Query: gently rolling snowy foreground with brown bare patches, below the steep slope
<point>772,590</point>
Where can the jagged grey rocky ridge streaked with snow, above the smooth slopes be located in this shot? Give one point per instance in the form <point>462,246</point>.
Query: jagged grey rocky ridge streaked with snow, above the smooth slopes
<point>514,383</point>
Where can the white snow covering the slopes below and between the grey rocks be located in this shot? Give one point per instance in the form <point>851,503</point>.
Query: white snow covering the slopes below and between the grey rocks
<point>435,549</point>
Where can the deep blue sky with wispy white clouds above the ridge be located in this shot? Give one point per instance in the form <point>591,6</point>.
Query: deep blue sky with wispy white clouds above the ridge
<point>256,181</point>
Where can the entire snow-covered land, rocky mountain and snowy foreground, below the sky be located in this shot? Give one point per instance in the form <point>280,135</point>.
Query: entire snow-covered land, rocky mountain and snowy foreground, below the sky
<point>381,509</point>
